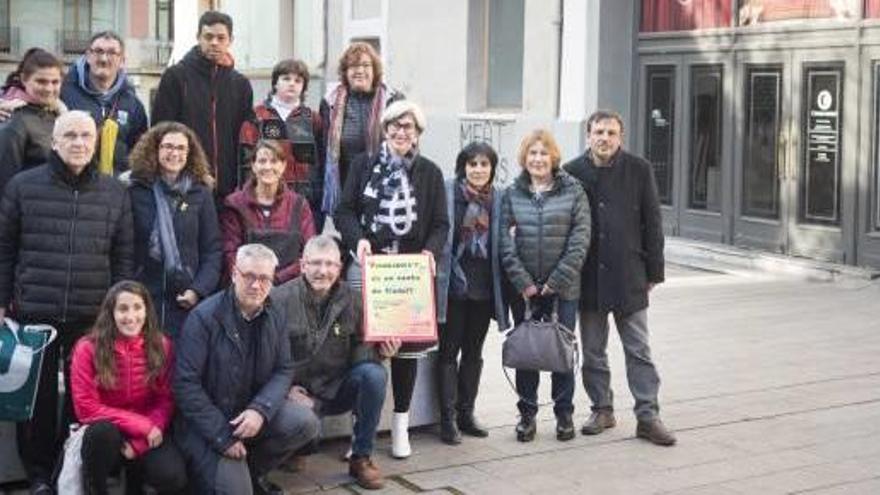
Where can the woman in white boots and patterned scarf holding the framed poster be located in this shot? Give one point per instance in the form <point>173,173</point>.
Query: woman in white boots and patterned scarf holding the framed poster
<point>394,203</point>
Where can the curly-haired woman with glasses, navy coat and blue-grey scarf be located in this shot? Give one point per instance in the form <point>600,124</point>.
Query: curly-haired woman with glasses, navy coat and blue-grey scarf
<point>178,253</point>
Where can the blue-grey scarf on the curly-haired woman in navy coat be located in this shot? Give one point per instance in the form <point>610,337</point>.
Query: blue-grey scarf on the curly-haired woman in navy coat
<point>163,241</point>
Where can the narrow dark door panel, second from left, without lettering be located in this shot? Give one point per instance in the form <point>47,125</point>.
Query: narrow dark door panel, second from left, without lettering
<point>705,152</point>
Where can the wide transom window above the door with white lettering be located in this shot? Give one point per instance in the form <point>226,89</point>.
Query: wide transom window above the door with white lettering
<point>751,12</point>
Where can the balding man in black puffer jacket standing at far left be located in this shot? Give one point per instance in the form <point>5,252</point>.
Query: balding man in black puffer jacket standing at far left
<point>65,237</point>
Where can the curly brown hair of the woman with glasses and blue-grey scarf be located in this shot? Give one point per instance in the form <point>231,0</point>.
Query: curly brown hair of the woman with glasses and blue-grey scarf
<point>144,157</point>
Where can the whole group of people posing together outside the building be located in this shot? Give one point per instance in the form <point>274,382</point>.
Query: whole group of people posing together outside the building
<point>206,323</point>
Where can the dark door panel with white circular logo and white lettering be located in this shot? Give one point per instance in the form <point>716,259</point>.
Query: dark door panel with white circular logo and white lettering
<point>820,166</point>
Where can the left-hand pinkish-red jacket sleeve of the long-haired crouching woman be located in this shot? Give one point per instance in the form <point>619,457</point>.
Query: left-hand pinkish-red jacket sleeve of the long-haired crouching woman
<point>87,400</point>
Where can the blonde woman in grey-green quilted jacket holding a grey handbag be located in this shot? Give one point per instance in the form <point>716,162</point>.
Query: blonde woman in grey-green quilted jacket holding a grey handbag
<point>545,220</point>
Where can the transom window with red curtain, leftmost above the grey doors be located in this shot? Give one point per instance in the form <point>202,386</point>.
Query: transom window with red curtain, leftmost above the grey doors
<point>676,15</point>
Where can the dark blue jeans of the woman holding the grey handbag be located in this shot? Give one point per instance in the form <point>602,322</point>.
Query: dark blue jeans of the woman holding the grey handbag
<point>562,388</point>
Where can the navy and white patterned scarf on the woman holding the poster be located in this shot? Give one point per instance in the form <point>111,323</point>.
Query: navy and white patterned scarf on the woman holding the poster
<point>390,190</point>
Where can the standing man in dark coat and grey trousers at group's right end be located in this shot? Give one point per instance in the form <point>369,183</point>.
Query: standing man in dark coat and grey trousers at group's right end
<point>624,262</point>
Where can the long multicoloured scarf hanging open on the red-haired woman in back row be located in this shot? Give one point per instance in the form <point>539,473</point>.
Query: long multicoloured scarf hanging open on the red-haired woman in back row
<point>332,182</point>
